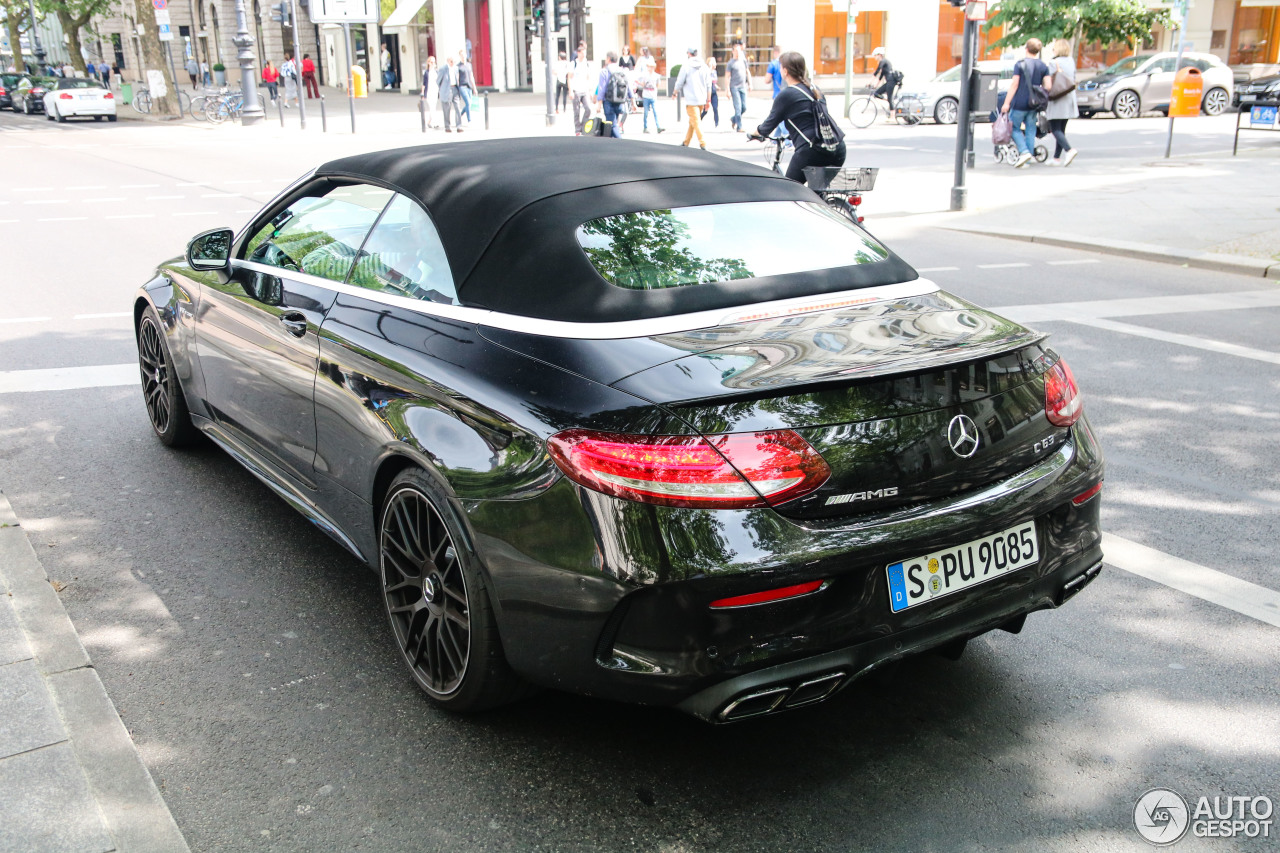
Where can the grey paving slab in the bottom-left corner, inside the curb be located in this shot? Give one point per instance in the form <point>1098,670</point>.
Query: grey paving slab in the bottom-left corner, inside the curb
<point>47,805</point>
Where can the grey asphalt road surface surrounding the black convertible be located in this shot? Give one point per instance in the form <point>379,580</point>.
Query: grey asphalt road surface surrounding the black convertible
<point>252,662</point>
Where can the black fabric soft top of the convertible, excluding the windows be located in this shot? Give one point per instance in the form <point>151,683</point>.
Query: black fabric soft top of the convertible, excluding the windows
<point>508,212</point>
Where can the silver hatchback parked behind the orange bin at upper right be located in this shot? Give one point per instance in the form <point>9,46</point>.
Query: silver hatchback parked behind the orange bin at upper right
<point>1141,84</point>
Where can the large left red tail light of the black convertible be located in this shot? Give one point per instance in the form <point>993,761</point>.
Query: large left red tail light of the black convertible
<point>738,471</point>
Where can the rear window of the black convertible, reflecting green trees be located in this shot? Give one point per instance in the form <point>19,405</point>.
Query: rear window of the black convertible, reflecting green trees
<point>662,249</point>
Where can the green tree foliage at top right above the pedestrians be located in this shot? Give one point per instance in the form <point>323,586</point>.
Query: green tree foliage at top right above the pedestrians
<point>1082,21</point>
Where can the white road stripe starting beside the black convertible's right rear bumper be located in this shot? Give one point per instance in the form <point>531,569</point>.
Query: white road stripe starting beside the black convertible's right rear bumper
<point>1209,585</point>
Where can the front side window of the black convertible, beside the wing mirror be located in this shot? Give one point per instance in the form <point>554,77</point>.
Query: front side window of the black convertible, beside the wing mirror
<point>321,234</point>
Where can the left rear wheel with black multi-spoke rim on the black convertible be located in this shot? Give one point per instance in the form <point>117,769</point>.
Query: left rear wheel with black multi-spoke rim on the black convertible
<point>438,601</point>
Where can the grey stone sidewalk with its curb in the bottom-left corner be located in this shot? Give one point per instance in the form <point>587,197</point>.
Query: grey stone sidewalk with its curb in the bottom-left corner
<point>71,779</point>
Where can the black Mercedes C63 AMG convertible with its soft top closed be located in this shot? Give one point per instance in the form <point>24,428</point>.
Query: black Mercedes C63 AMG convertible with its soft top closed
<point>629,421</point>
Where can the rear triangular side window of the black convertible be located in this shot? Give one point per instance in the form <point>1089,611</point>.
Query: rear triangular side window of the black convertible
<point>405,257</point>
